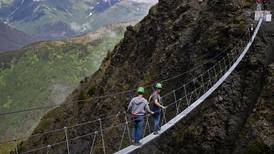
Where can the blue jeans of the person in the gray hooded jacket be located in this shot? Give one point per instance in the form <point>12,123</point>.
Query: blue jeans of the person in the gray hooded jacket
<point>137,128</point>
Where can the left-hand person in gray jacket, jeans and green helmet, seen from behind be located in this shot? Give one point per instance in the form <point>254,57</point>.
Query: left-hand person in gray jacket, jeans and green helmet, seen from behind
<point>138,106</point>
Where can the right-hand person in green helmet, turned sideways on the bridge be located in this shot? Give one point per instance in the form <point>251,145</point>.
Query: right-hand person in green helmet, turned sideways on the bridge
<point>155,101</point>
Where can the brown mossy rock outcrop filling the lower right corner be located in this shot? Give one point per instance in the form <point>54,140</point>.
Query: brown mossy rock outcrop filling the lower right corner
<point>257,136</point>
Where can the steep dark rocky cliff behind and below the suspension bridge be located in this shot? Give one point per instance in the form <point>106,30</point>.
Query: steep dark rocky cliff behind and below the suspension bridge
<point>176,36</point>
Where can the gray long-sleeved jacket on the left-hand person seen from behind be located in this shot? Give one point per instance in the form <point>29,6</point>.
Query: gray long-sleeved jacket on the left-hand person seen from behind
<point>138,106</point>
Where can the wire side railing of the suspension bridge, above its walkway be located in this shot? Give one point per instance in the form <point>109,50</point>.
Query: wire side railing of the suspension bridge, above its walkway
<point>93,134</point>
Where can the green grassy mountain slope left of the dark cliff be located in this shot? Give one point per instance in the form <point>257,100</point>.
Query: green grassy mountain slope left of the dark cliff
<point>46,74</point>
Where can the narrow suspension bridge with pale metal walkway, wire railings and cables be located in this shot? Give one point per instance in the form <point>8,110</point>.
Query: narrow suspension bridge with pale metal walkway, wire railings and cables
<point>182,101</point>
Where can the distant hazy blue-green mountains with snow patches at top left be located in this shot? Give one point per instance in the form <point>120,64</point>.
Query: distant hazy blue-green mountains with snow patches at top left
<point>49,19</point>
